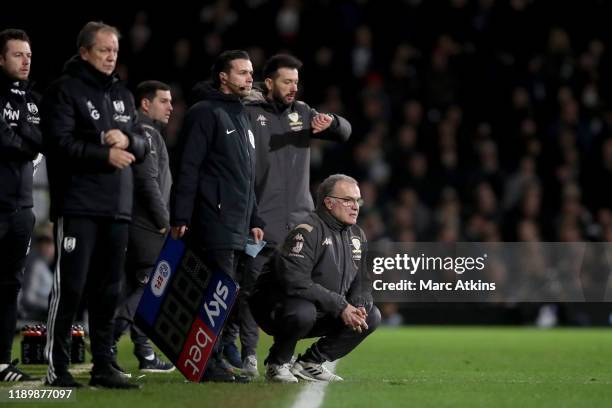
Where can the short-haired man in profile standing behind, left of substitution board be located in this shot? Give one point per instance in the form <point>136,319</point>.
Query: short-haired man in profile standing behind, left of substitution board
<point>150,220</point>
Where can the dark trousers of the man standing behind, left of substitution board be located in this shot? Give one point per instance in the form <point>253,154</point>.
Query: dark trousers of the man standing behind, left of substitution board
<point>144,247</point>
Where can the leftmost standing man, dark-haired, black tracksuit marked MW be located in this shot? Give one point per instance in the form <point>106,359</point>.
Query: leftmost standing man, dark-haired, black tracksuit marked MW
<point>20,142</point>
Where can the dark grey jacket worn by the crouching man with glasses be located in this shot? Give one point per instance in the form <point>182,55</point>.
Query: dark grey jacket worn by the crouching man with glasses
<point>322,261</point>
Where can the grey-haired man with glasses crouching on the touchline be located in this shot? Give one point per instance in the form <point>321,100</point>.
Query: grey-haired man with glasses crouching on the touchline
<point>317,286</point>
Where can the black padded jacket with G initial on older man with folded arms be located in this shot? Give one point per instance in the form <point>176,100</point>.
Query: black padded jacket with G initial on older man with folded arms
<point>76,111</point>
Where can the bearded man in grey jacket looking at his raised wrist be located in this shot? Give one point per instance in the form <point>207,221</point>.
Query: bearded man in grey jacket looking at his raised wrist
<point>283,128</point>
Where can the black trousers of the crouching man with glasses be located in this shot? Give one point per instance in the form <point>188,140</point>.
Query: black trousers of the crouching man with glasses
<point>290,319</point>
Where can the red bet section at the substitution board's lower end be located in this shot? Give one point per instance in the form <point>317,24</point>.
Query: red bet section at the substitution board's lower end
<point>196,351</point>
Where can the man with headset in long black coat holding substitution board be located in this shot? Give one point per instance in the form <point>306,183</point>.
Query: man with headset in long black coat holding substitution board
<point>213,193</point>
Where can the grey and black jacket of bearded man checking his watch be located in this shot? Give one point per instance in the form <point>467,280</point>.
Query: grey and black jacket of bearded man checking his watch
<point>282,182</point>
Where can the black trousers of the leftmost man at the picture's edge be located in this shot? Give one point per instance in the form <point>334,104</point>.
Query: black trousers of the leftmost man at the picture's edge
<point>15,234</point>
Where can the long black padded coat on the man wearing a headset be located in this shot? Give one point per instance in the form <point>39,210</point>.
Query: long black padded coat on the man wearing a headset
<point>214,172</point>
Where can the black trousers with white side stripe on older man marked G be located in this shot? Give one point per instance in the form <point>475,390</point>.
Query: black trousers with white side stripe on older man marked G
<point>89,263</point>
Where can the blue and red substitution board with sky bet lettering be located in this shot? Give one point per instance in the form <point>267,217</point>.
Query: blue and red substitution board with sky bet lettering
<point>184,307</point>
